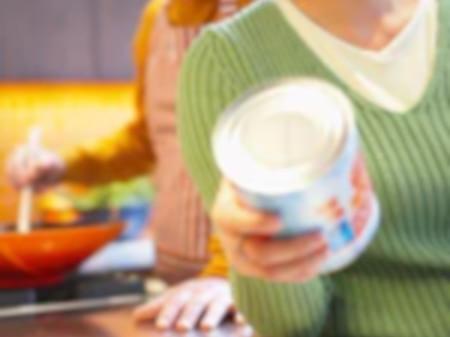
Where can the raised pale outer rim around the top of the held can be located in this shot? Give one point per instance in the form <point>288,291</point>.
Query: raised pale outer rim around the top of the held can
<point>293,180</point>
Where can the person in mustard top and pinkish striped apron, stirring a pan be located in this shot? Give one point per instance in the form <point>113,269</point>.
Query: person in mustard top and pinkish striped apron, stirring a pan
<point>186,248</point>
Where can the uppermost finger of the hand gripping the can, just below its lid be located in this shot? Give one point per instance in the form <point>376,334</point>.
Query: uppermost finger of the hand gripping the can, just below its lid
<point>233,215</point>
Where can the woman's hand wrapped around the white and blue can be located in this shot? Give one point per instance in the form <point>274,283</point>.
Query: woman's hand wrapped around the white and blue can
<point>248,238</point>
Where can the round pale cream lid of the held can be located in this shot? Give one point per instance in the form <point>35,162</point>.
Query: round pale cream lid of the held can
<point>282,137</point>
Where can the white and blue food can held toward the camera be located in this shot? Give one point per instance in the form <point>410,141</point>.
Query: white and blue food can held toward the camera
<point>291,148</point>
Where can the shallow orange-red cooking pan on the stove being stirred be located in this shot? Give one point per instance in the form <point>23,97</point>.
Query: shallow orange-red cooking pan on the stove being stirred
<point>45,256</point>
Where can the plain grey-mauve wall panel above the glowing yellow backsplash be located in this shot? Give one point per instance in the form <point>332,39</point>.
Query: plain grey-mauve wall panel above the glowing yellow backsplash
<point>60,39</point>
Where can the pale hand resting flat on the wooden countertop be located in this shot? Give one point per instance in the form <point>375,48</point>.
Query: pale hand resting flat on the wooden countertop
<point>202,302</point>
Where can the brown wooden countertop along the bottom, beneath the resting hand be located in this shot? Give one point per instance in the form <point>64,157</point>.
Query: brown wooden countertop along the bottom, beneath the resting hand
<point>105,323</point>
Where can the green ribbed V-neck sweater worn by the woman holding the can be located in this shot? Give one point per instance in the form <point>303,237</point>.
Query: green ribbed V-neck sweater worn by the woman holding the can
<point>400,287</point>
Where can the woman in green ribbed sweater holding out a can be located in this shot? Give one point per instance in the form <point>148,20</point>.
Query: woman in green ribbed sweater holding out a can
<point>390,58</point>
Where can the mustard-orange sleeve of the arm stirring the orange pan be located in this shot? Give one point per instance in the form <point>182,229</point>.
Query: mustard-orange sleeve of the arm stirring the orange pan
<point>104,160</point>
